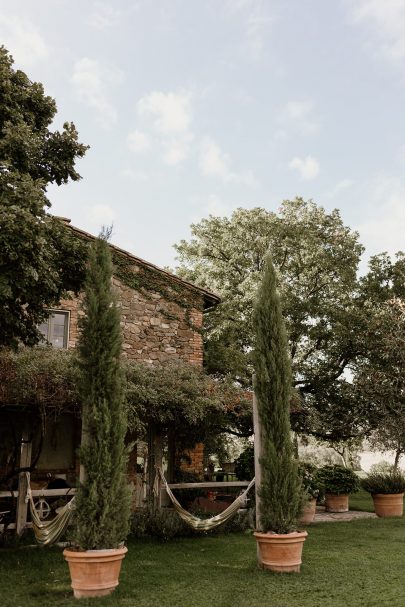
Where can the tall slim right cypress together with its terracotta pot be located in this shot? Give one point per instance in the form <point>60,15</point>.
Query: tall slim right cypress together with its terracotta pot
<point>281,497</point>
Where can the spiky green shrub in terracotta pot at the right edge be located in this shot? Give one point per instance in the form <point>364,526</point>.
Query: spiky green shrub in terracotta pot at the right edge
<point>387,490</point>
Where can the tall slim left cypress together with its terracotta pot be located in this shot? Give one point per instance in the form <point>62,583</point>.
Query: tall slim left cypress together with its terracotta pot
<point>103,498</point>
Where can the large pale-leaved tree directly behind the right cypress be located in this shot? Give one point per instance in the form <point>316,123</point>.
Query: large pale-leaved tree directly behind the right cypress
<point>315,258</point>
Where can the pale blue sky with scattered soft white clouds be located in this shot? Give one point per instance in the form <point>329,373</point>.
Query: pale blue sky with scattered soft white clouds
<point>193,108</point>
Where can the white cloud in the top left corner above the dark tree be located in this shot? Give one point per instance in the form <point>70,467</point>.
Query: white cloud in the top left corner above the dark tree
<point>23,40</point>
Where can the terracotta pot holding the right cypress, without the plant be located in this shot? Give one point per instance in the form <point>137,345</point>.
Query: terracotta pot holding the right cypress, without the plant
<point>281,552</point>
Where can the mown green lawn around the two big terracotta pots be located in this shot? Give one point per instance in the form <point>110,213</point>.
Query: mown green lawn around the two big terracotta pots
<point>361,564</point>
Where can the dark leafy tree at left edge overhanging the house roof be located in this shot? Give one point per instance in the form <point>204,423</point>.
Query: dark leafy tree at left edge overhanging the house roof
<point>39,259</point>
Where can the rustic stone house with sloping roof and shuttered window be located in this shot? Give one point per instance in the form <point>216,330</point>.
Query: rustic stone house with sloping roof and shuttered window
<point>161,317</point>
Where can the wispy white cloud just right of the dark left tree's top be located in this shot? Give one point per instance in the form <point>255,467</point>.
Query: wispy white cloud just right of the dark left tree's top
<point>91,82</point>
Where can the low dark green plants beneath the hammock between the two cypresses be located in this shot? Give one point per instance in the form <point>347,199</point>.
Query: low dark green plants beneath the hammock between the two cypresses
<point>165,524</point>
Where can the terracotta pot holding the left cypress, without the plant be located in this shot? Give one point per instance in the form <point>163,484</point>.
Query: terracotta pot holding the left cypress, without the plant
<point>94,572</point>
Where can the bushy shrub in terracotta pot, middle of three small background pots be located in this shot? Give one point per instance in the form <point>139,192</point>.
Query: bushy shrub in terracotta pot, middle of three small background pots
<point>339,482</point>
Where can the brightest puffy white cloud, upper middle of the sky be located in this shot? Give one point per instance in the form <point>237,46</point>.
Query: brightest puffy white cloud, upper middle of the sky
<point>171,112</point>
